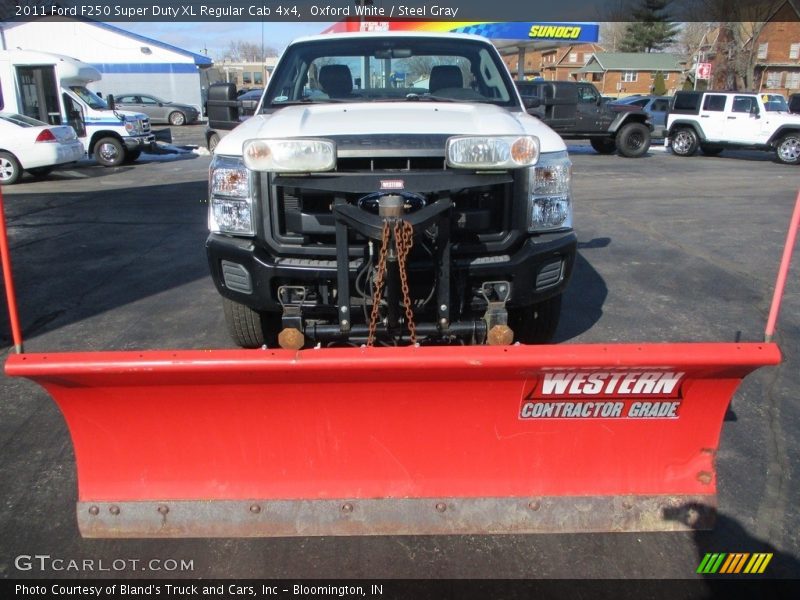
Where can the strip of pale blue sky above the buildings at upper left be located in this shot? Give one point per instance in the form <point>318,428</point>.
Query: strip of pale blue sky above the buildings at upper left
<point>213,38</point>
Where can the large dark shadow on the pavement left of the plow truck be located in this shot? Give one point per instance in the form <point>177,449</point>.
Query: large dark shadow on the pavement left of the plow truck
<point>75,255</point>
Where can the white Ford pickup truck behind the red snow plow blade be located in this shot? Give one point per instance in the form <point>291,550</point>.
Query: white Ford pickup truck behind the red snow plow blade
<point>390,189</point>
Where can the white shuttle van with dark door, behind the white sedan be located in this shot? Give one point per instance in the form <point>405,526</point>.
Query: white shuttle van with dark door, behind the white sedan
<point>52,88</point>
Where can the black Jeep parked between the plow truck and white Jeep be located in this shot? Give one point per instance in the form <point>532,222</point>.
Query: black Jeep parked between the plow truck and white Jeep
<point>577,111</point>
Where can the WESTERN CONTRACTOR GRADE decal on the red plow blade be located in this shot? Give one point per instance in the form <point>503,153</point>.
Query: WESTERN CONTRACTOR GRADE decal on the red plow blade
<point>603,395</point>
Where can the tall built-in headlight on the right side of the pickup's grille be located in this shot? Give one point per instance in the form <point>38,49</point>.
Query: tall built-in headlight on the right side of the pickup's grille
<point>551,193</point>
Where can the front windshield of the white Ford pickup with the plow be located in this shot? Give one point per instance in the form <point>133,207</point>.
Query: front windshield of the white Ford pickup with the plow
<point>384,69</point>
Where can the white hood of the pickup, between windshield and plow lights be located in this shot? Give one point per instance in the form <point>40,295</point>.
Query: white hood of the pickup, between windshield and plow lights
<point>387,118</point>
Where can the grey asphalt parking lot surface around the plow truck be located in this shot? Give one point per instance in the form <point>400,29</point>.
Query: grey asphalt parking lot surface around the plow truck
<point>670,249</point>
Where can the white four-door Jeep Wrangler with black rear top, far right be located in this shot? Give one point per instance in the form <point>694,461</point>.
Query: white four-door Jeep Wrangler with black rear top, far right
<point>713,121</point>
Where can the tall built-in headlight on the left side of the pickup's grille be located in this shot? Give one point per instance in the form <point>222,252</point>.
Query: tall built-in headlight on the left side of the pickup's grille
<point>230,203</point>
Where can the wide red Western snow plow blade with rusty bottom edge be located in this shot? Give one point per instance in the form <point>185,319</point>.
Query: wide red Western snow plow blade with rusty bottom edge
<point>395,441</point>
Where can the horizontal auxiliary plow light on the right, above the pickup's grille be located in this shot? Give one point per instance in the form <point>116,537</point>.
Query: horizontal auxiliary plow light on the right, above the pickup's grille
<point>492,152</point>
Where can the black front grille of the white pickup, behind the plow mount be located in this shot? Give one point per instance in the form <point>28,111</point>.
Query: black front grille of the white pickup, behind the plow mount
<point>298,215</point>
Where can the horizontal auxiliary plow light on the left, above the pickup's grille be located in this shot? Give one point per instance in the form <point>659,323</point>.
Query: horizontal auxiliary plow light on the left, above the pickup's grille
<point>290,156</point>
